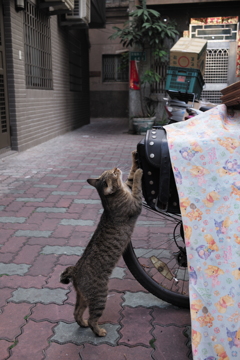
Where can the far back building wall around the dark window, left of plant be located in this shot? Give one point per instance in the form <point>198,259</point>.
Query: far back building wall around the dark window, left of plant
<point>107,99</point>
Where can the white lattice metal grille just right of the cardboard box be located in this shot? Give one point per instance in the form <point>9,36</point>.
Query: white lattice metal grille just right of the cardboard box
<point>216,69</point>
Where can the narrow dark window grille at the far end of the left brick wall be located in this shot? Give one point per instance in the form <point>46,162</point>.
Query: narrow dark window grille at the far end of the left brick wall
<point>75,64</point>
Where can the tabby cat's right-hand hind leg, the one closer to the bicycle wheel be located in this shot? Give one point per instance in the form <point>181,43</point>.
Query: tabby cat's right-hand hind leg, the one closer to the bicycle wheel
<point>96,307</point>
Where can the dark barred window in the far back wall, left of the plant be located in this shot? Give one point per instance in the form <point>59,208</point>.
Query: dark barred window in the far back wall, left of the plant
<point>115,68</point>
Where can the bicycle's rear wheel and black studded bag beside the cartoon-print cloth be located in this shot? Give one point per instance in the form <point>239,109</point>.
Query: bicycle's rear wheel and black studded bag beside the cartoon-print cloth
<point>161,265</point>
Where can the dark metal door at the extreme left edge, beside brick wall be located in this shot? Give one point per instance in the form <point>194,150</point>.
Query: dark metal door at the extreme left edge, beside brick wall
<point>4,116</point>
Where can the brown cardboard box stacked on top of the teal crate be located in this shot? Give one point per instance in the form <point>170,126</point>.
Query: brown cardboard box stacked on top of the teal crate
<point>189,53</point>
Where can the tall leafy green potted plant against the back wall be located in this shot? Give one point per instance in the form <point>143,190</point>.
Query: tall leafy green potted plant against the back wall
<point>146,31</point>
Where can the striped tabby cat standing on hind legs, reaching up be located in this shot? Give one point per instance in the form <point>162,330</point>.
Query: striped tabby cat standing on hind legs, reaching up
<point>122,204</point>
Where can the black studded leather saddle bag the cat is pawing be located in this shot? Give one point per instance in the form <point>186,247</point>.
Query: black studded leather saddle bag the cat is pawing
<point>158,183</point>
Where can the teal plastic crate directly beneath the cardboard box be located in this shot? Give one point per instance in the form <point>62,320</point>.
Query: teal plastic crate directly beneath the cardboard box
<point>184,80</point>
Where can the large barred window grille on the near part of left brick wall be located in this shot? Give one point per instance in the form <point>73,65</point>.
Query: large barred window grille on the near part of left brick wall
<point>37,46</point>
